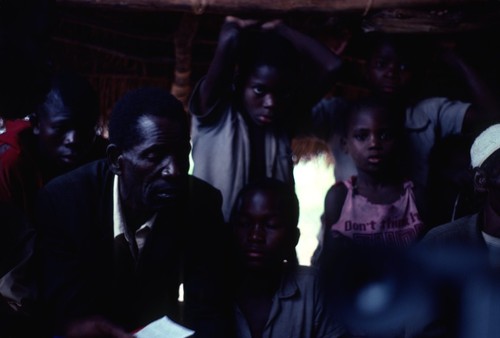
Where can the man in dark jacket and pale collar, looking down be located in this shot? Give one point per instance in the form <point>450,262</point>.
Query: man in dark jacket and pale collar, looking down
<point>119,237</point>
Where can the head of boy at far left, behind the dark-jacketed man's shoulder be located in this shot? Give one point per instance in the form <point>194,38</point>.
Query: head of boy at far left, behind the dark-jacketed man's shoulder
<point>65,122</point>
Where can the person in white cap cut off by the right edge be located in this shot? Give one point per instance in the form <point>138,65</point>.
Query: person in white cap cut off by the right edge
<point>483,228</point>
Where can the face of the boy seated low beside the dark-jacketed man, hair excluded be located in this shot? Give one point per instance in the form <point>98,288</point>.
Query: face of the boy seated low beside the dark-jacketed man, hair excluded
<point>262,234</point>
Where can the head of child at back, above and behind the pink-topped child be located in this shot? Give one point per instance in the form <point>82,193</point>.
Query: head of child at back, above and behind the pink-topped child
<point>390,64</point>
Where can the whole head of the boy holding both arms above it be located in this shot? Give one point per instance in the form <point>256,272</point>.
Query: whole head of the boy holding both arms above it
<point>268,72</point>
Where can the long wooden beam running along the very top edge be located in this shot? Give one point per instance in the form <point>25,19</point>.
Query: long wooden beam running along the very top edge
<point>267,6</point>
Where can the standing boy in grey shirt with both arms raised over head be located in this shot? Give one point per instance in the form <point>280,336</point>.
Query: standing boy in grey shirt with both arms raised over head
<point>246,109</point>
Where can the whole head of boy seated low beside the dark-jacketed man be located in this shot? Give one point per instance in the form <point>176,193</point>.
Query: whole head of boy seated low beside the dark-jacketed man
<point>264,220</point>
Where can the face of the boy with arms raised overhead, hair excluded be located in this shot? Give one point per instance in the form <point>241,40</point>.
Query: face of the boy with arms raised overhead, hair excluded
<point>265,94</point>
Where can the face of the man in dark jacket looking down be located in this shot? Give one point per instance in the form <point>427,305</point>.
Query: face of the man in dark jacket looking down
<point>154,172</point>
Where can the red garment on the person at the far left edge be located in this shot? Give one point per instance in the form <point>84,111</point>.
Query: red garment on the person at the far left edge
<point>20,177</point>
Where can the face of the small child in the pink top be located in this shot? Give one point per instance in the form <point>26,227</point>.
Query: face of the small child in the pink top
<point>370,140</point>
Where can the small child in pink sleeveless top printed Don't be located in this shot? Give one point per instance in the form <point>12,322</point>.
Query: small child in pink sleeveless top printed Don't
<point>378,206</point>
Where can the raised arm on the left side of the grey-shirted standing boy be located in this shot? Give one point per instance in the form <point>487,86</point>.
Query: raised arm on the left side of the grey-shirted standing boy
<point>220,75</point>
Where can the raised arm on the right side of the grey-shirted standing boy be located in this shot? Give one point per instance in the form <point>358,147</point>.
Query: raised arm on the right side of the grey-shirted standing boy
<point>320,63</point>
